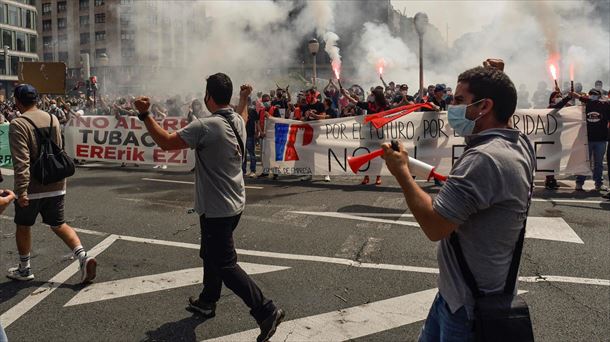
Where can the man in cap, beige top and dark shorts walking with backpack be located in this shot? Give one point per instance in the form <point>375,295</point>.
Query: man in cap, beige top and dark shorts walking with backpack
<point>34,198</point>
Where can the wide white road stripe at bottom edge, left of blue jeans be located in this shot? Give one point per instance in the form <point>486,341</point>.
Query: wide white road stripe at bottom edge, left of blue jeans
<point>350,323</point>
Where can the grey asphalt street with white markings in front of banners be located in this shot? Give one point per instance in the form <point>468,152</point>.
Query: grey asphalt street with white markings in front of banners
<point>346,262</point>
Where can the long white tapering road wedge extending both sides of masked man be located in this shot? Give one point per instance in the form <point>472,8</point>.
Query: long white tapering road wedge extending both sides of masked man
<point>546,228</point>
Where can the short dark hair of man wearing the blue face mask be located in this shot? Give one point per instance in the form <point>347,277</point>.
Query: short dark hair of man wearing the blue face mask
<point>491,83</point>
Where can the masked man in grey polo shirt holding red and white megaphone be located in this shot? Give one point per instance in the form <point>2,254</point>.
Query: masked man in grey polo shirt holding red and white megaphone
<point>484,201</point>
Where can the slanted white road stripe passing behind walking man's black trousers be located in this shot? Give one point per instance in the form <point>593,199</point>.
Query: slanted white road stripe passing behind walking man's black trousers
<point>153,283</point>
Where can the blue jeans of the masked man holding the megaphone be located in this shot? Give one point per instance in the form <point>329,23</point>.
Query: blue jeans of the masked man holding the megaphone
<point>442,325</point>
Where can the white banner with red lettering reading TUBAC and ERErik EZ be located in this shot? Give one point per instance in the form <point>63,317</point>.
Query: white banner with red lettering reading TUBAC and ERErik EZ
<point>106,138</point>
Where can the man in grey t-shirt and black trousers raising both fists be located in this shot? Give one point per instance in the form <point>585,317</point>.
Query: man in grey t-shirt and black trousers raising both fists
<point>220,197</point>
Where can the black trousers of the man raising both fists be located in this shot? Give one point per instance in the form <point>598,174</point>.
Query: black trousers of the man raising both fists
<point>220,266</point>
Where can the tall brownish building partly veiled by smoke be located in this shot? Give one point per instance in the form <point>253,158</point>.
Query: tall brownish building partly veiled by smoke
<point>106,30</point>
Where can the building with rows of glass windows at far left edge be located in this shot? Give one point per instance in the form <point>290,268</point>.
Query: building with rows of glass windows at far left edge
<point>18,25</point>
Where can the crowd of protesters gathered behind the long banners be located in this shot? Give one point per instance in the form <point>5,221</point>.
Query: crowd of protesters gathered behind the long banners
<point>336,101</point>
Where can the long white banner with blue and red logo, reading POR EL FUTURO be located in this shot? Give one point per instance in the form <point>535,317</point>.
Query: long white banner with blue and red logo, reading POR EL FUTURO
<point>322,147</point>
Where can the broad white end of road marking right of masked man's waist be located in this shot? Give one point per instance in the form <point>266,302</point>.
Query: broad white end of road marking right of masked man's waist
<point>551,228</point>
